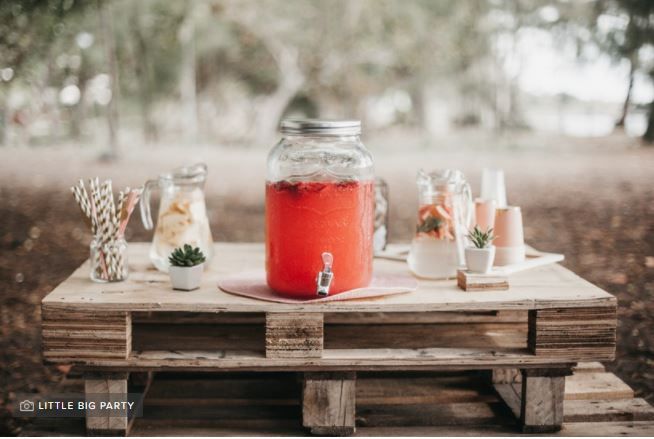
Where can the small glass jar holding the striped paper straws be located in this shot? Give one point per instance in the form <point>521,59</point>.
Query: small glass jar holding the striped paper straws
<point>108,260</point>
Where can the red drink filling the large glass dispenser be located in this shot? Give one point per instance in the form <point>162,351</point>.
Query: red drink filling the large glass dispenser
<point>306,219</point>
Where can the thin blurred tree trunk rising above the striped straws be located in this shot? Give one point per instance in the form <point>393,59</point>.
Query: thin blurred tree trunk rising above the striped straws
<point>108,37</point>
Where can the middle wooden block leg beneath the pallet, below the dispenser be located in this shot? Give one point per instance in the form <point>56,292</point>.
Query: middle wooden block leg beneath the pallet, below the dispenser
<point>328,403</point>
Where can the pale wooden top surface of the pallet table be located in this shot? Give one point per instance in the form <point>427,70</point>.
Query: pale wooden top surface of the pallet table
<point>148,290</point>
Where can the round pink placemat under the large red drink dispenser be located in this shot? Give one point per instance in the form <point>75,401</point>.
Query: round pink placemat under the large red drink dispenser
<point>253,284</point>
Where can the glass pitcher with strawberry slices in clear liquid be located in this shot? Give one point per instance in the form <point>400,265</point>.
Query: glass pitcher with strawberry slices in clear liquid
<point>444,217</point>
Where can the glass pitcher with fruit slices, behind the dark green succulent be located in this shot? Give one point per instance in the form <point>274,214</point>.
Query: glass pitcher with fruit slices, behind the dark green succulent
<point>182,213</point>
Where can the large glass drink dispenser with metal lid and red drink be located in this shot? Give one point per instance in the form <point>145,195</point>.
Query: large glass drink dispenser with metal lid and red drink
<point>320,200</point>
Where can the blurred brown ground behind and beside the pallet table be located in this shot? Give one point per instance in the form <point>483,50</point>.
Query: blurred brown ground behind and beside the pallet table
<point>591,200</point>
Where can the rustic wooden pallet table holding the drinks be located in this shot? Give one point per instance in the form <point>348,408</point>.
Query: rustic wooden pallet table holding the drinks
<point>530,336</point>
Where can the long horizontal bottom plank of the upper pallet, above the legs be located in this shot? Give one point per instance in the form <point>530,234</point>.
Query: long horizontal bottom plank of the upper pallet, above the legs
<point>331,360</point>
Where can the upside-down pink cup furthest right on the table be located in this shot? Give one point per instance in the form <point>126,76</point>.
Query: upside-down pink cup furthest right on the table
<point>509,241</point>
